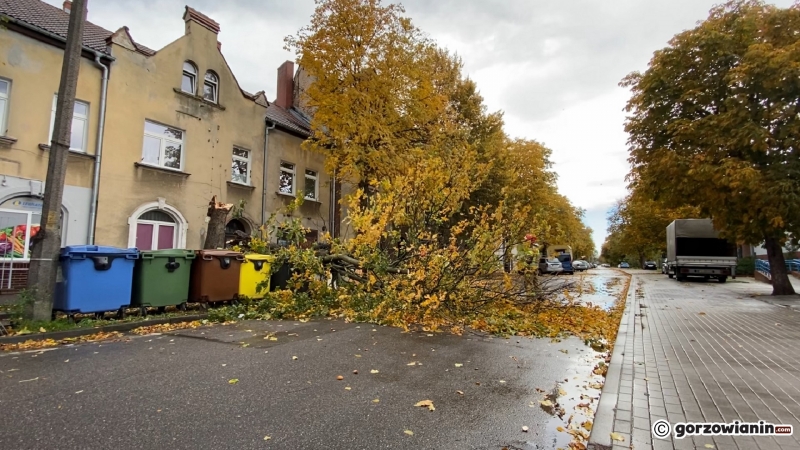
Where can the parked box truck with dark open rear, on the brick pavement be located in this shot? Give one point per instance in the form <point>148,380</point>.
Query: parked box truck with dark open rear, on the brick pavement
<point>694,249</point>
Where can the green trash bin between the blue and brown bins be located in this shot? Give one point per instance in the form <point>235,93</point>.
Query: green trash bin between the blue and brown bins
<point>161,279</point>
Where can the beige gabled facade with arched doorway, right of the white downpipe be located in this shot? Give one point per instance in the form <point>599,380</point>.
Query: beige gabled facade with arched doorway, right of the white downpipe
<point>134,180</point>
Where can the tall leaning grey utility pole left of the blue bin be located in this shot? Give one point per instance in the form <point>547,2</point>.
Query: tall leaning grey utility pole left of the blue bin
<point>44,259</point>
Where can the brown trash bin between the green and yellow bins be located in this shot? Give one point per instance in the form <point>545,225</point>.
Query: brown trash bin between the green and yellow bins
<point>215,276</point>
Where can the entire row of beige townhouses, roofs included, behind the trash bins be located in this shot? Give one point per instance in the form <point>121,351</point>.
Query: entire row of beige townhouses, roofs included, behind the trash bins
<point>169,143</point>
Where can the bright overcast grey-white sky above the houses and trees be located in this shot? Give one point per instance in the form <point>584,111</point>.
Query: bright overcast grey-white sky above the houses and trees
<point>552,66</point>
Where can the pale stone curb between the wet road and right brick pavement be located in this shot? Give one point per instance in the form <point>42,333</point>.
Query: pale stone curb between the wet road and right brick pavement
<point>600,437</point>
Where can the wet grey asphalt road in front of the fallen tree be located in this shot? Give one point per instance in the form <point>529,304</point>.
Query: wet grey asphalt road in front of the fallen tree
<point>177,390</point>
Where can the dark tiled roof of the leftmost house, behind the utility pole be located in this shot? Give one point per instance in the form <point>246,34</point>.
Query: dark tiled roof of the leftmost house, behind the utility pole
<point>55,20</point>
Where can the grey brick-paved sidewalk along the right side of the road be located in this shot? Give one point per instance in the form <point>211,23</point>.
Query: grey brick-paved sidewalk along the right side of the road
<point>701,352</point>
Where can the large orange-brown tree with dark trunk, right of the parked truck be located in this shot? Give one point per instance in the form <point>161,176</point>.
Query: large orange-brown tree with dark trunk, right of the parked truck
<point>714,123</point>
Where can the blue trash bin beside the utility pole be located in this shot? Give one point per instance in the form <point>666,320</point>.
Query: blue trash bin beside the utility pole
<point>95,279</point>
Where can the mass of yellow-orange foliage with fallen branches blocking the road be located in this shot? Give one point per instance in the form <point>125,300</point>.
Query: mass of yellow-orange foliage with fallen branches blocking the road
<point>440,190</point>
